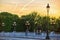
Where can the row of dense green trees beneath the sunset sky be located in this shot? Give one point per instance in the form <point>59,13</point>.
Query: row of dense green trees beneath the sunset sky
<point>34,19</point>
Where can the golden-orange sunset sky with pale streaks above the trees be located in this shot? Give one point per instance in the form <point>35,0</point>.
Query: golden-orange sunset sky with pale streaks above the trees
<point>23,7</point>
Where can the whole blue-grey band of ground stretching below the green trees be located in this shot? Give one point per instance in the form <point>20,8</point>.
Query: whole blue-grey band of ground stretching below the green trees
<point>31,36</point>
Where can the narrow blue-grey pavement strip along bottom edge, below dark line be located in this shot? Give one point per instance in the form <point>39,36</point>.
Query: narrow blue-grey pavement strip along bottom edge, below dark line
<point>11,38</point>
